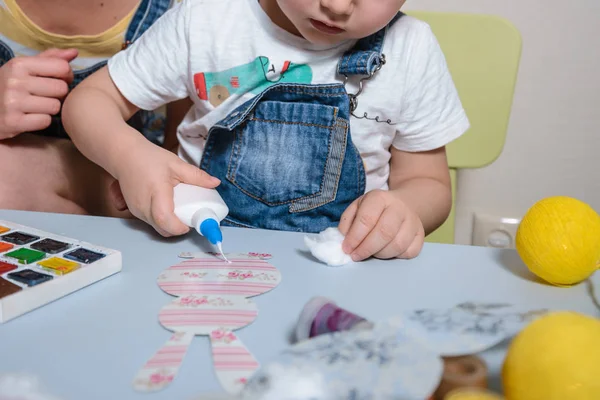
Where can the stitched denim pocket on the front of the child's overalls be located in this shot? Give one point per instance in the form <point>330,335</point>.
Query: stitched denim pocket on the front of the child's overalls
<point>286,152</point>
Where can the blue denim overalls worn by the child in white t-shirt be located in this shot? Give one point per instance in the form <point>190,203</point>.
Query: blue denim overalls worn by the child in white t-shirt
<point>286,159</point>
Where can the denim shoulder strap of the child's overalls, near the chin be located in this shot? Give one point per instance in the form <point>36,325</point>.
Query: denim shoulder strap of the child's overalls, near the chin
<point>366,57</point>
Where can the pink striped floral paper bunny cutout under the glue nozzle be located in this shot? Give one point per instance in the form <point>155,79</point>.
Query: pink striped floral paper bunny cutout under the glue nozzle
<point>213,300</point>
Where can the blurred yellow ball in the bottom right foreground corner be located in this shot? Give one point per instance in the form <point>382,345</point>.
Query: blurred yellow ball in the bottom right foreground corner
<point>556,357</point>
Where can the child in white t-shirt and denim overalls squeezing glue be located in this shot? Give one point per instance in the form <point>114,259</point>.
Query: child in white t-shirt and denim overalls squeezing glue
<point>307,114</point>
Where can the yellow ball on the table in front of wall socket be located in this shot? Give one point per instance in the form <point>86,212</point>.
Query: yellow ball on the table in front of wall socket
<point>559,240</point>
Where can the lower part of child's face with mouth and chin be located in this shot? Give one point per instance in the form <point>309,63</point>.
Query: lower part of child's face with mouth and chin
<point>334,21</point>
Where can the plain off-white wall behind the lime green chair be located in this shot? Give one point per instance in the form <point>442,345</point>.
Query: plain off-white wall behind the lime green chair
<point>553,140</point>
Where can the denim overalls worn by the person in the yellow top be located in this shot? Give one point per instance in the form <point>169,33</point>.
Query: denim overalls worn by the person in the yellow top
<point>146,14</point>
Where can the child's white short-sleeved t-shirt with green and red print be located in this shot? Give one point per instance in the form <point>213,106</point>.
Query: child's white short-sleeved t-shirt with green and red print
<point>220,42</point>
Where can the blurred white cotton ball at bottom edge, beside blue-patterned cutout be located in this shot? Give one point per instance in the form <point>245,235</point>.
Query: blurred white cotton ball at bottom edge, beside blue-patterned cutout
<point>288,382</point>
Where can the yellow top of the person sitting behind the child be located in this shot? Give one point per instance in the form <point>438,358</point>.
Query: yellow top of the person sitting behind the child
<point>26,38</point>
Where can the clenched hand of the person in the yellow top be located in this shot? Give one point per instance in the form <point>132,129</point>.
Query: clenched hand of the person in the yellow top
<point>31,90</point>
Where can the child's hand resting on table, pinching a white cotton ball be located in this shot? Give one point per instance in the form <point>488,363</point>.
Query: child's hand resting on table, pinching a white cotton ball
<point>380,224</point>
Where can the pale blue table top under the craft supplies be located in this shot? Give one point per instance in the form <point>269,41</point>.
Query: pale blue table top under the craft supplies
<point>90,344</point>
